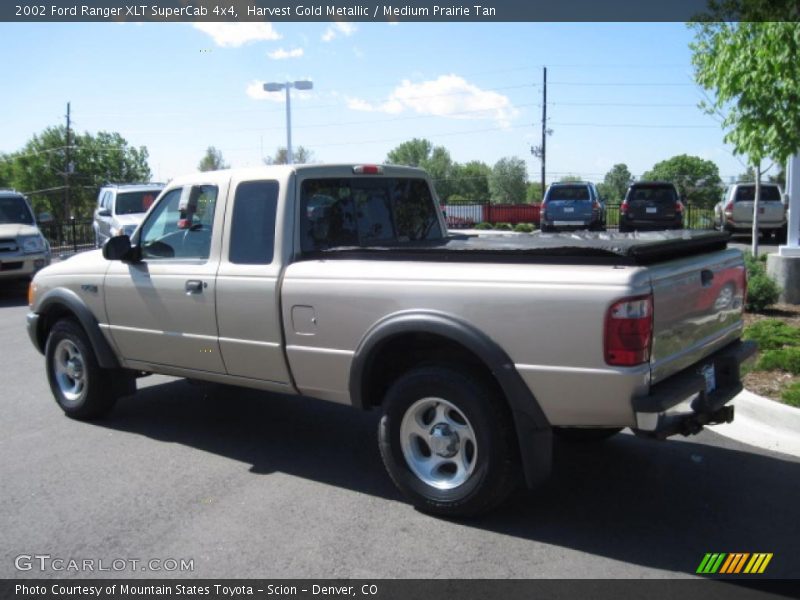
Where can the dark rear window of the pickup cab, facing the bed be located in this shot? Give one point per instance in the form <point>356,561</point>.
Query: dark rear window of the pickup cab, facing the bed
<point>353,212</point>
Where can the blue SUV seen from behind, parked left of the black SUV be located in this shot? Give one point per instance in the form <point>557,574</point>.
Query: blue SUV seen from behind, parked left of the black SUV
<point>574,205</point>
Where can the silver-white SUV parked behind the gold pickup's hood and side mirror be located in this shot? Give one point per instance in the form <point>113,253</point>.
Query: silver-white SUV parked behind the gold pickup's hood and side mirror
<point>121,207</point>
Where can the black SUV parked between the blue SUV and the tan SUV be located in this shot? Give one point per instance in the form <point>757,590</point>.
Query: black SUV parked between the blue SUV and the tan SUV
<point>651,205</point>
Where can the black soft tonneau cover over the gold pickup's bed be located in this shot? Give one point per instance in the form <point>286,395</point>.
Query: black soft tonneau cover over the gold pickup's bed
<point>640,248</point>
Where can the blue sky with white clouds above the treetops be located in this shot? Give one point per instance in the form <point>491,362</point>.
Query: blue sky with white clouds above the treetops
<point>617,93</point>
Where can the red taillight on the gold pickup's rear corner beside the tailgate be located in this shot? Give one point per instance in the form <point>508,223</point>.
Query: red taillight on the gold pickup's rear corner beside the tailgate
<point>629,331</point>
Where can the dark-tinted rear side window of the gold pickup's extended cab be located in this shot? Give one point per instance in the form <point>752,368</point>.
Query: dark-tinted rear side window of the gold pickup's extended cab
<point>253,226</point>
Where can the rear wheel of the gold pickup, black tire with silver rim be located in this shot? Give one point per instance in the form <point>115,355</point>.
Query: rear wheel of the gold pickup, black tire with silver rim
<point>493,471</point>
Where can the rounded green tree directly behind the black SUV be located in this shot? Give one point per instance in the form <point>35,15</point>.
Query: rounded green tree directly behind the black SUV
<point>697,179</point>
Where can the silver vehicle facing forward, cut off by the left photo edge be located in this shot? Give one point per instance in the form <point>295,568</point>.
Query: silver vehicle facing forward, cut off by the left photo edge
<point>23,248</point>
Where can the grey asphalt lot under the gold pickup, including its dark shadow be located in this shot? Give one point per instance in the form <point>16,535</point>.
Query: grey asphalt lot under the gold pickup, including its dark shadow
<point>252,485</point>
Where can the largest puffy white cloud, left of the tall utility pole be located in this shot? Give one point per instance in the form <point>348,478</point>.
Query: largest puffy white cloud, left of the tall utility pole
<point>448,96</point>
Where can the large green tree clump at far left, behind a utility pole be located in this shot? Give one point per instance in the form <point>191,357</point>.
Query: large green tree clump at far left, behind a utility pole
<point>38,169</point>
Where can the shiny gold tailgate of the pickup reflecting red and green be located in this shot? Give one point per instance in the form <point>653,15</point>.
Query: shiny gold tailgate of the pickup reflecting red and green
<point>698,305</point>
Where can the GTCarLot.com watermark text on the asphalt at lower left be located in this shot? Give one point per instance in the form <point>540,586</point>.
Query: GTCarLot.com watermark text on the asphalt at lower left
<point>47,563</point>
